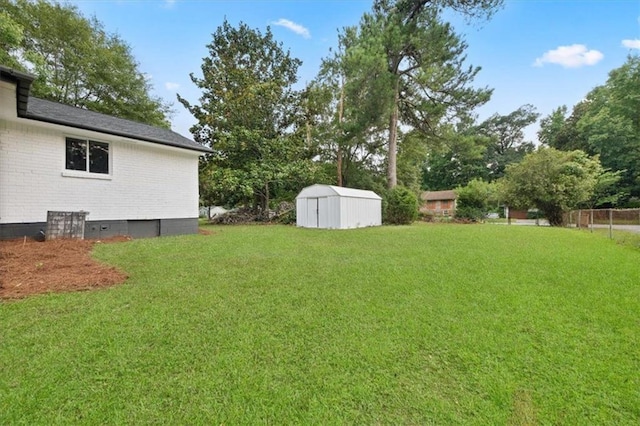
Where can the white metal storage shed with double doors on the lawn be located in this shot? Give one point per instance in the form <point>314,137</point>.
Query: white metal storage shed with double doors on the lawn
<point>335,207</point>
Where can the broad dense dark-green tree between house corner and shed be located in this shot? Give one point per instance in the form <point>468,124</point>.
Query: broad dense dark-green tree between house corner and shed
<point>250,116</point>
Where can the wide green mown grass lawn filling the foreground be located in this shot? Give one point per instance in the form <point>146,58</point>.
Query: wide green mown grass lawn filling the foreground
<point>427,324</point>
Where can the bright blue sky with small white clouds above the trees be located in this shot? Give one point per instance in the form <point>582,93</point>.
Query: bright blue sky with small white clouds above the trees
<point>543,52</point>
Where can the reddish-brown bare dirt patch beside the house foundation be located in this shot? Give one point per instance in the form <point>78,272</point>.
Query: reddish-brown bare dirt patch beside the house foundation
<point>31,267</point>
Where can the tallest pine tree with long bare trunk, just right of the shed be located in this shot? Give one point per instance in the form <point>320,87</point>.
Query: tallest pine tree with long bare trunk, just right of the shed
<point>427,79</point>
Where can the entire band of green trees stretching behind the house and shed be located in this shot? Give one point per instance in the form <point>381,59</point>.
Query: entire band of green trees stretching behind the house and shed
<point>393,105</point>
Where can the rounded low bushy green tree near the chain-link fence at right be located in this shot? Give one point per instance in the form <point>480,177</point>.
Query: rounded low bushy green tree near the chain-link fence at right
<point>551,180</point>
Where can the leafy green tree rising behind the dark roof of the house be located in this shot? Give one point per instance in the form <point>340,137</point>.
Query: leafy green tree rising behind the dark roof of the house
<point>76,61</point>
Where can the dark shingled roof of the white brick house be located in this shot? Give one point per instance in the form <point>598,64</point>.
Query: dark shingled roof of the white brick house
<point>66,115</point>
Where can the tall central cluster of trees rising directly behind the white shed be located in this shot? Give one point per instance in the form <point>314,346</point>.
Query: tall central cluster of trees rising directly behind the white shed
<point>397,81</point>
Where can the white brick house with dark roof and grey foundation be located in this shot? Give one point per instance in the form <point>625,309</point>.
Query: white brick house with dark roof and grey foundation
<point>131,178</point>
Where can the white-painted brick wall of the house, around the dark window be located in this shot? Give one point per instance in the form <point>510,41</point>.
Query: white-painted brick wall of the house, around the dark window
<point>147,181</point>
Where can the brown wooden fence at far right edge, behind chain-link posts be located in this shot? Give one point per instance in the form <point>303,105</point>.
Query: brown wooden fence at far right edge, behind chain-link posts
<point>614,219</point>
